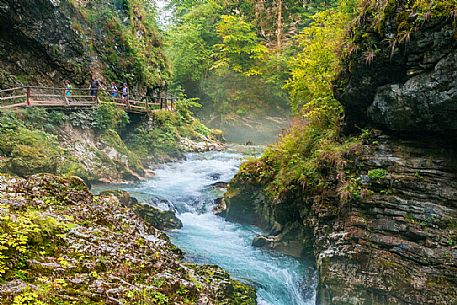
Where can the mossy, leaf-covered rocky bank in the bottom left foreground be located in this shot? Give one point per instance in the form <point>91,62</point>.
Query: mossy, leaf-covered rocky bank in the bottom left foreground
<point>62,245</point>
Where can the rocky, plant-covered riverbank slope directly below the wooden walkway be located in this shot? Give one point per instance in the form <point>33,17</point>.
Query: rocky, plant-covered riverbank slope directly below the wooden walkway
<point>99,145</point>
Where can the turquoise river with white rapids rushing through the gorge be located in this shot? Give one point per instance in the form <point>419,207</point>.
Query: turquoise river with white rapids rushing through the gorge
<point>206,238</point>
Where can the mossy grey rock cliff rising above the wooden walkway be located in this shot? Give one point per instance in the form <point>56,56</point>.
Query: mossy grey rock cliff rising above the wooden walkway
<point>48,41</point>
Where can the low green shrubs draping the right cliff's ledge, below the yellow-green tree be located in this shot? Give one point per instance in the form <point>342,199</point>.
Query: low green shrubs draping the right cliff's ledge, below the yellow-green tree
<point>300,156</point>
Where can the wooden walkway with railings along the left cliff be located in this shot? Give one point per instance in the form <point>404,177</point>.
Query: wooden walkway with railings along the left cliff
<point>50,97</point>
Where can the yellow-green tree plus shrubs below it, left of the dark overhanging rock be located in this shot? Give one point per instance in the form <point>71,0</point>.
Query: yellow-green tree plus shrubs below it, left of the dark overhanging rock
<point>313,150</point>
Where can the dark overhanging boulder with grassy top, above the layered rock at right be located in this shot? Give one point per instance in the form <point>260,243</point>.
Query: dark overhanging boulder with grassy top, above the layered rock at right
<point>403,76</point>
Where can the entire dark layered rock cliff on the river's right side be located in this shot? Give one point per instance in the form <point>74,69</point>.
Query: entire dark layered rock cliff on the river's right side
<point>378,217</point>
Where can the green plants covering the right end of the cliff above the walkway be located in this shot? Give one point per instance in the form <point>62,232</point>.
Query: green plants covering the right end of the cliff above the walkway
<point>128,41</point>
